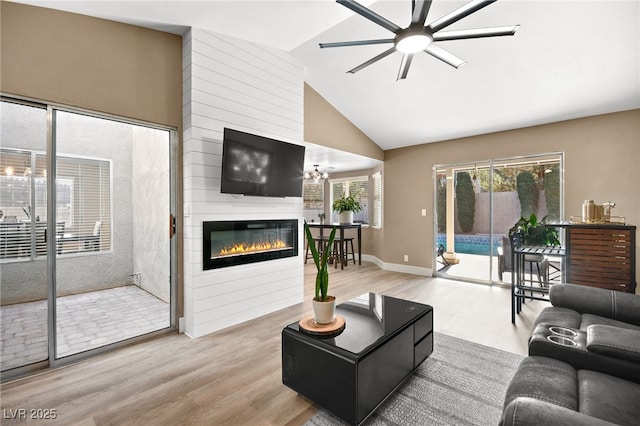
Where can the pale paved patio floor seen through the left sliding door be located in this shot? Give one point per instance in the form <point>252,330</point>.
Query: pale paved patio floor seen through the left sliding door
<point>85,321</point>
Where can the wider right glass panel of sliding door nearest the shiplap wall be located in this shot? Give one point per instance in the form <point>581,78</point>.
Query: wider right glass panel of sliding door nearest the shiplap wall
<point>113,247</point>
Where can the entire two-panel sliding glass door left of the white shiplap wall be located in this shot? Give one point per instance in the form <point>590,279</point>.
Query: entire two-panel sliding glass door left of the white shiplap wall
<point>87,253</point>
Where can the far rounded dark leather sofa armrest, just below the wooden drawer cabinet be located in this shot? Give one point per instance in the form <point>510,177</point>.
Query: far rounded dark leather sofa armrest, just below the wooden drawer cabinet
<point>612,304</point>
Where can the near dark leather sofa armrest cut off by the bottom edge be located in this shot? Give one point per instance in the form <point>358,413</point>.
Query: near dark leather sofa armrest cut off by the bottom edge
<point>530,411</point>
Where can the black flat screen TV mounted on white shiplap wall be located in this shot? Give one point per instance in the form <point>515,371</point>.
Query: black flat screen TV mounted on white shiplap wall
<point>260,166</point>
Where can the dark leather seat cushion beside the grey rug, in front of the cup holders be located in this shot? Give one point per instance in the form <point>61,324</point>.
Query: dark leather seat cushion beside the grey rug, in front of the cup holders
<point>545,379</point>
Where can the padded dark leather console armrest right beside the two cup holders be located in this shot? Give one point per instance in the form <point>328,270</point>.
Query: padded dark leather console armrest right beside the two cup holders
<point>614,342</point>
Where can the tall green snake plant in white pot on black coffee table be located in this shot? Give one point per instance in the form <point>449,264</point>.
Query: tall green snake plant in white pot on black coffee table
<point>324,306</point>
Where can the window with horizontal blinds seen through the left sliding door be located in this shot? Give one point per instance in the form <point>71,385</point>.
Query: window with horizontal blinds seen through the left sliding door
<point>83,204</point>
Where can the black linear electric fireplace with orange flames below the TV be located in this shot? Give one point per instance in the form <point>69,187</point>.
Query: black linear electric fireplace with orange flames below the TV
<point>230,243</point>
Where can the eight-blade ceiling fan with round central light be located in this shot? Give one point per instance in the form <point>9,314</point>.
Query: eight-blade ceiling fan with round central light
<point>418,37</point>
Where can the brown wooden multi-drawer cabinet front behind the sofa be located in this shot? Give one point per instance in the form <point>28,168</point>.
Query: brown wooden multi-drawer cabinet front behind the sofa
<point>601,256</point>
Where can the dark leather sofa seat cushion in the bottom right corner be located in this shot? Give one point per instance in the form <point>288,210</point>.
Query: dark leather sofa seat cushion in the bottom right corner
<point>609,398</point>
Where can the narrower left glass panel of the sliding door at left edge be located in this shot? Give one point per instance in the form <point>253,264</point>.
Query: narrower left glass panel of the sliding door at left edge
<point>23,212</point>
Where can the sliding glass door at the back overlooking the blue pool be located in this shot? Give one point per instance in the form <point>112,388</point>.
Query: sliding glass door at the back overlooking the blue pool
<point>477,203</point>
